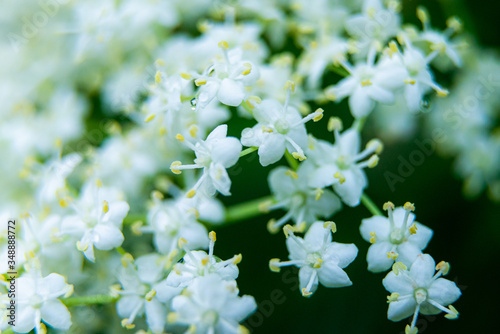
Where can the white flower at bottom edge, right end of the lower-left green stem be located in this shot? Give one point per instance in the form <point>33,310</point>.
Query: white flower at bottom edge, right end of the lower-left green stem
<point>144,291</point>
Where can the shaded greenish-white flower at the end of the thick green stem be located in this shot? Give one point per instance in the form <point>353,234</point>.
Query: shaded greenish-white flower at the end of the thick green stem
<point>305,204</point>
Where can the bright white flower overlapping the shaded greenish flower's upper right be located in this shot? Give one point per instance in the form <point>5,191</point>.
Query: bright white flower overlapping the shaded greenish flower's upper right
<point>341,164</point>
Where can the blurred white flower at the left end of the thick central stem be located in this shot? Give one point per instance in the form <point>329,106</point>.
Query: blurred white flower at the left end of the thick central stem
<point>171,220</point>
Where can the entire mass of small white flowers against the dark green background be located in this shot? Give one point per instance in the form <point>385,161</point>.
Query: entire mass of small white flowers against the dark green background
<point>121,141</point>
